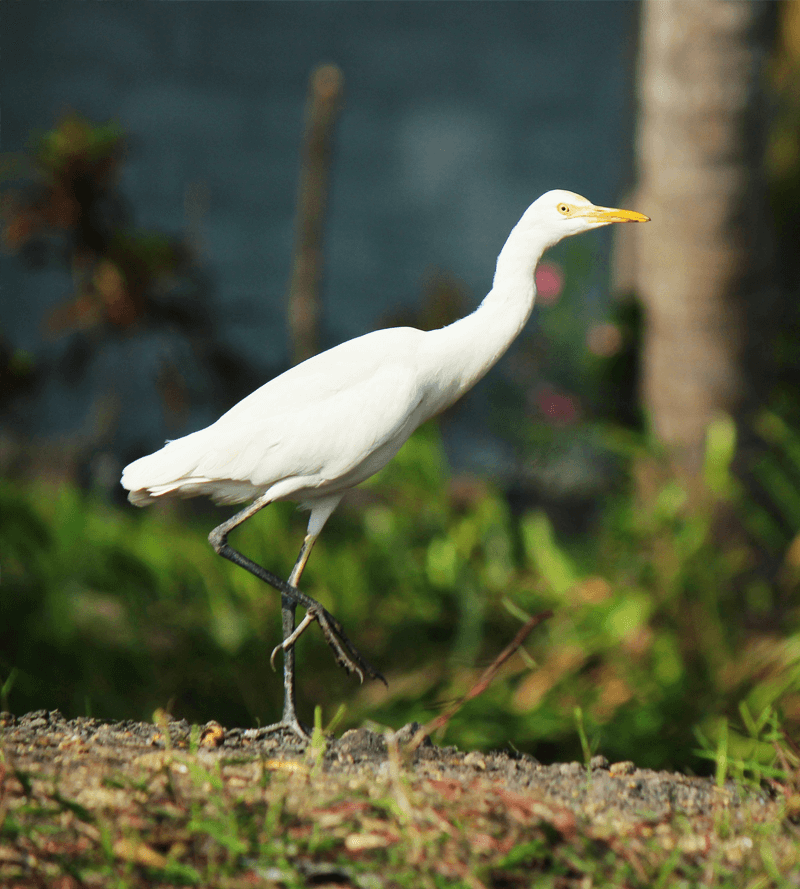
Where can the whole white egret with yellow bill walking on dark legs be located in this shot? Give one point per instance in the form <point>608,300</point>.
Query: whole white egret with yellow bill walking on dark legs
<point>331,422</point>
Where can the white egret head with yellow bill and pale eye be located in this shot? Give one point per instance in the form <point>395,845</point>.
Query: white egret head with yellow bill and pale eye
<point>558,214</point>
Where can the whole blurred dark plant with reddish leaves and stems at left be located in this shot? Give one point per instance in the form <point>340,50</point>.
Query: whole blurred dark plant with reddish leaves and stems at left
<point>62,207</point>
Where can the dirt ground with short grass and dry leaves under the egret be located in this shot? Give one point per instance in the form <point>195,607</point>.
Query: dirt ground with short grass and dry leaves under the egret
<point>85,802</point>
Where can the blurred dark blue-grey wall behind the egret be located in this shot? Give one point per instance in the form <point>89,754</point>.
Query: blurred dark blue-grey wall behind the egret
<point>457,115</point>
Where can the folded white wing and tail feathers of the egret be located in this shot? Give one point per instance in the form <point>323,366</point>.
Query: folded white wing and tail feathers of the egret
<point>329,422</point>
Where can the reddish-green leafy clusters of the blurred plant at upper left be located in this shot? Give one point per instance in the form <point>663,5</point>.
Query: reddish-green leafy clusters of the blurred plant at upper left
<point>70,212</point>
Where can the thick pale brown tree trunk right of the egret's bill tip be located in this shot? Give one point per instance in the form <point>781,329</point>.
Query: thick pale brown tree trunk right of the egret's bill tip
<point>704,261</point>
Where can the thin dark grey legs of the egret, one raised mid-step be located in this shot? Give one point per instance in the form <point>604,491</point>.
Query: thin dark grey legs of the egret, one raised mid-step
<point>347,655</point>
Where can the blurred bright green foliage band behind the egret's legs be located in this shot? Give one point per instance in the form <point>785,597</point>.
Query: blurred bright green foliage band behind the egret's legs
<point>660,631</point>
